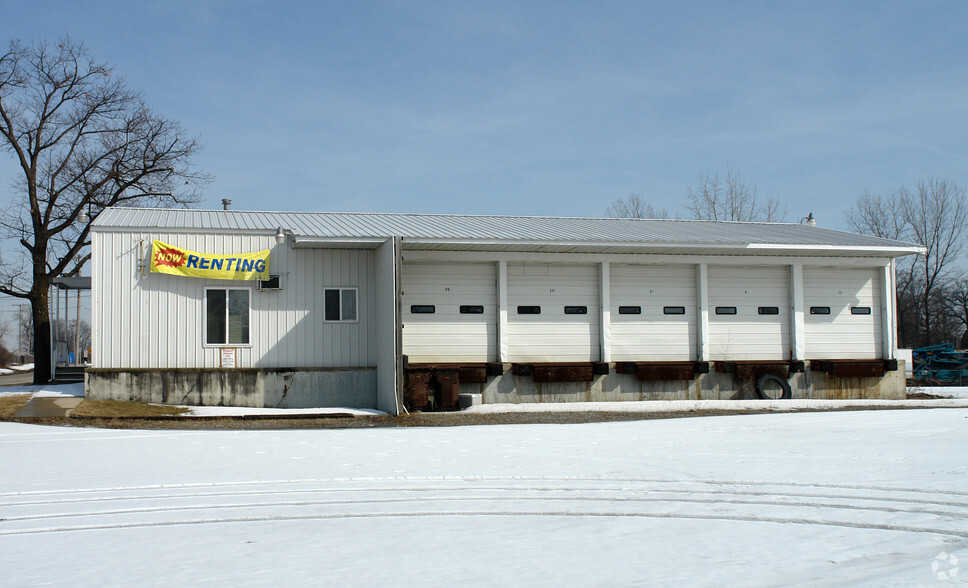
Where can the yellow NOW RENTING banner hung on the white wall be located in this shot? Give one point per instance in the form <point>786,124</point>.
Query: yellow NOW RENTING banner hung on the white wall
<point>168,259</point>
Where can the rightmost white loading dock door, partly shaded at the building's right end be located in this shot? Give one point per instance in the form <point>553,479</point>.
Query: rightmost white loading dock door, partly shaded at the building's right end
<point>842,313</point>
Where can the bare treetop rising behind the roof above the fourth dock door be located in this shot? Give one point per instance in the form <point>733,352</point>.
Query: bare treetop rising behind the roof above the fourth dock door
<point>731,200</point>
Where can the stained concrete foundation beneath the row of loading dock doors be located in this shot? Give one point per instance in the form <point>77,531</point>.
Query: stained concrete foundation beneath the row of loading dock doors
<point>509,388</point>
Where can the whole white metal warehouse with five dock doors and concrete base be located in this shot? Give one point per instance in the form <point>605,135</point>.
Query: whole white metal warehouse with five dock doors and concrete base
<point>391,311</point>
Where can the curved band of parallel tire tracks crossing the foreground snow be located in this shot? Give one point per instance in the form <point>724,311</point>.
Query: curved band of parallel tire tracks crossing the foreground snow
<point>577,489</point>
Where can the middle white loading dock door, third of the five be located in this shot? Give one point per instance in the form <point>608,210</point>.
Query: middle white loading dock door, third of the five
<point>653,312</point>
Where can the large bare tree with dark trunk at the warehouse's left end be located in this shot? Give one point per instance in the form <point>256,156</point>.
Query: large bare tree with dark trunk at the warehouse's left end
<point>83,141</point>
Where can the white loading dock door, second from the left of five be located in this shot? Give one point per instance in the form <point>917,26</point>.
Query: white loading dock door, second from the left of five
<point>545,318</point>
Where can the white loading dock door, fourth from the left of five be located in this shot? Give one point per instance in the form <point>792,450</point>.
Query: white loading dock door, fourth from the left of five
<point>749,313</point>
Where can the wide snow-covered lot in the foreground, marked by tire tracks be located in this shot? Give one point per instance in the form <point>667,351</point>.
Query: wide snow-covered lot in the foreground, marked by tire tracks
<point>842,498</point>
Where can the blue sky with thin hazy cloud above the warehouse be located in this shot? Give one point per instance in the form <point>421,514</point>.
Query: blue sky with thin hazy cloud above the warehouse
<point>539,108</point>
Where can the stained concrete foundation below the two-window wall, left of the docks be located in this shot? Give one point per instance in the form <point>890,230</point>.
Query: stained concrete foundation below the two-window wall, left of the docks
<point>259,388</point>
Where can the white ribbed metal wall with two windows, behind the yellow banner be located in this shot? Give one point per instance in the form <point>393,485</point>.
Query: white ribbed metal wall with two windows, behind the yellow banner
<point>145,320</point>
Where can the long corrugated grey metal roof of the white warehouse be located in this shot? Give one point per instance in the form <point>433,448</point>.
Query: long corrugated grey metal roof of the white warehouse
<point>536,231</point>
